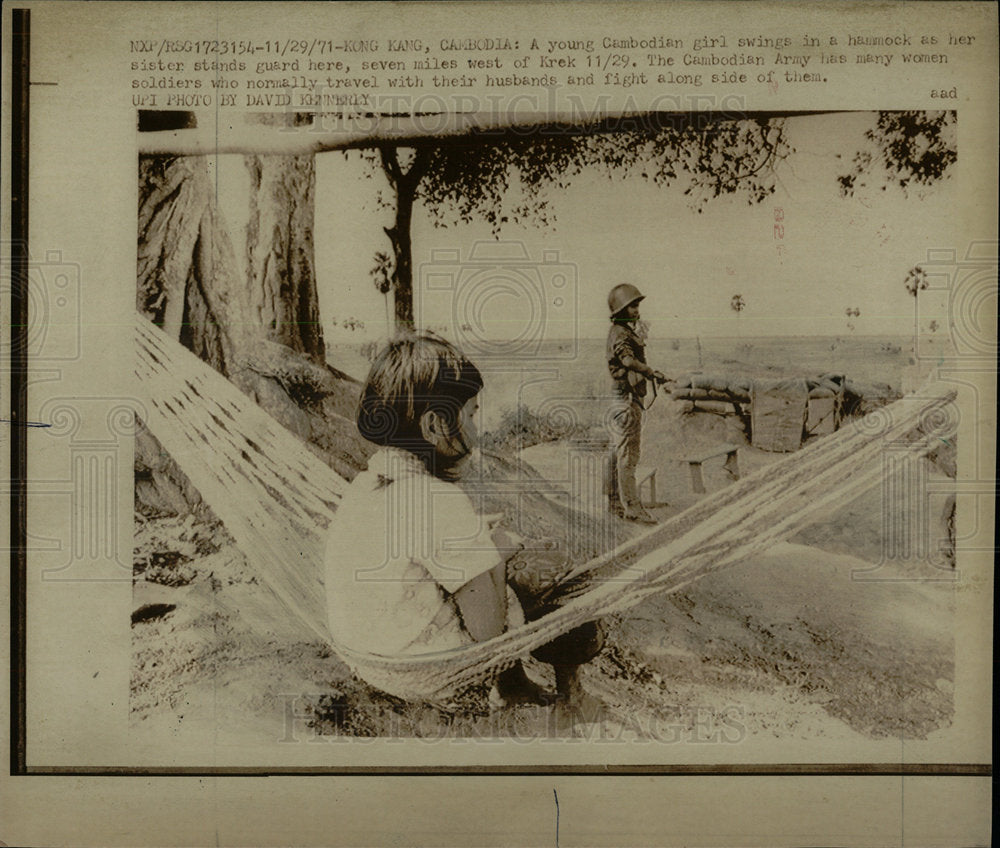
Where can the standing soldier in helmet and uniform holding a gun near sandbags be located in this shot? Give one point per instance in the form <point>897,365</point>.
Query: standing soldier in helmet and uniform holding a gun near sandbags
<point>627,363</point>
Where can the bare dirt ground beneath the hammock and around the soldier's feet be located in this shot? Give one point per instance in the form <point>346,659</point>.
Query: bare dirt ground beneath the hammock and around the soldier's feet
<point>814,639</point>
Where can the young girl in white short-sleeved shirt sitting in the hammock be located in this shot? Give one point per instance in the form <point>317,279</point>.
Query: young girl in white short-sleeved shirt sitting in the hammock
<point>410,566</point>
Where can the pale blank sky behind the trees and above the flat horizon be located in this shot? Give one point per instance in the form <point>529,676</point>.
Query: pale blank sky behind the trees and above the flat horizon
<point>835,253</point>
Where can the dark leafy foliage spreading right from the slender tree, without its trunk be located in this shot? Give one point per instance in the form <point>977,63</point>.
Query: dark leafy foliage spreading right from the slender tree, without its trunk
<point>508,179</point>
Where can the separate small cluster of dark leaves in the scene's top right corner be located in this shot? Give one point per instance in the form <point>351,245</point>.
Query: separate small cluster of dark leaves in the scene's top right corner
<point>911,150</point>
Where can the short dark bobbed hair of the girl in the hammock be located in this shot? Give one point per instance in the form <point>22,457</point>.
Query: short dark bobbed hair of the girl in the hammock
<point>413,373</point>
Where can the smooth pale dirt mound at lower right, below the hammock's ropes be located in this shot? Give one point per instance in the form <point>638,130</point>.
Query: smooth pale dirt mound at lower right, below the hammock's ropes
<point>876,655</point>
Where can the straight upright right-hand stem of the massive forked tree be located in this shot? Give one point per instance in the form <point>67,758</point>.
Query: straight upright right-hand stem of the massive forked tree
<point>282,288</point>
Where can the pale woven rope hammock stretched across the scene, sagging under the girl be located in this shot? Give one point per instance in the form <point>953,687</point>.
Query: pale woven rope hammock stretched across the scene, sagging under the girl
<point>276,499</point>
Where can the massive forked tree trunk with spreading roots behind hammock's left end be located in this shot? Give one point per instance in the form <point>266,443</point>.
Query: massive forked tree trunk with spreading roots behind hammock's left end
<point>188,282</point>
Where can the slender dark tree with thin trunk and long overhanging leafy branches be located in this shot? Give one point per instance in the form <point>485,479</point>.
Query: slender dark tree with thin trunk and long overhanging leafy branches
<point>506,176</point>
